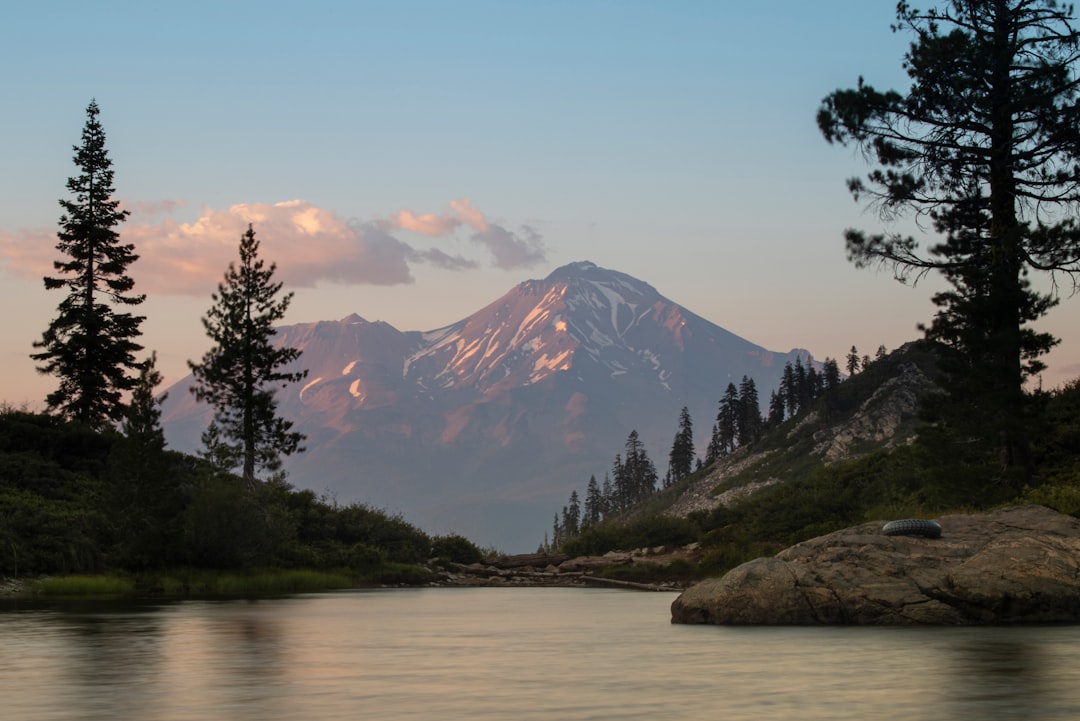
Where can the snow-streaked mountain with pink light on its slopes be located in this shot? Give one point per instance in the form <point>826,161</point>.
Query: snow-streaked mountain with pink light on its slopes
<point>484,428</point>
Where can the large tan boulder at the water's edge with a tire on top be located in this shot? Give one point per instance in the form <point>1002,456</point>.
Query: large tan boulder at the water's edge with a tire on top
<point>1018,565</point>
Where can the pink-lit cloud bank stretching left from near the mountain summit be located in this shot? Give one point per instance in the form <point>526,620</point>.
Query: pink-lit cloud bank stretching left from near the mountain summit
<point>309,246</point>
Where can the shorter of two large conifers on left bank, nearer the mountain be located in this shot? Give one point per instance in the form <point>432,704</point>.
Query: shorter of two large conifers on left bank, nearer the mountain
<point>241,373</point>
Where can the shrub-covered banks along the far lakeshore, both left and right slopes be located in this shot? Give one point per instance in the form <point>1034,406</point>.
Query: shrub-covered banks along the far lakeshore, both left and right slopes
<point>86,518</point>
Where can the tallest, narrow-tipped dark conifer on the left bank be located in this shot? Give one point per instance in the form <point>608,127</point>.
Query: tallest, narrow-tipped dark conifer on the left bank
<point>91,346</point>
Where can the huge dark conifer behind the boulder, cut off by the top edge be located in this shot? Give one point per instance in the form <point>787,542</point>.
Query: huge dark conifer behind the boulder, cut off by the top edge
<point>987,146</point>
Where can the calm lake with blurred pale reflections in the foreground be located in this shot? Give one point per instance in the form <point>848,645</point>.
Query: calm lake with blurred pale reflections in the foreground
<point>512,655</point>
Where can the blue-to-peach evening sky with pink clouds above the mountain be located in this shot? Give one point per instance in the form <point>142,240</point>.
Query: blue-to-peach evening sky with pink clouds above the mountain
<point>412,161</point>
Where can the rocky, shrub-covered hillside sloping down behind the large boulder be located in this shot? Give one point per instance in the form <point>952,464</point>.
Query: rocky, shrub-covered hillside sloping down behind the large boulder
<point>859,454</point>
